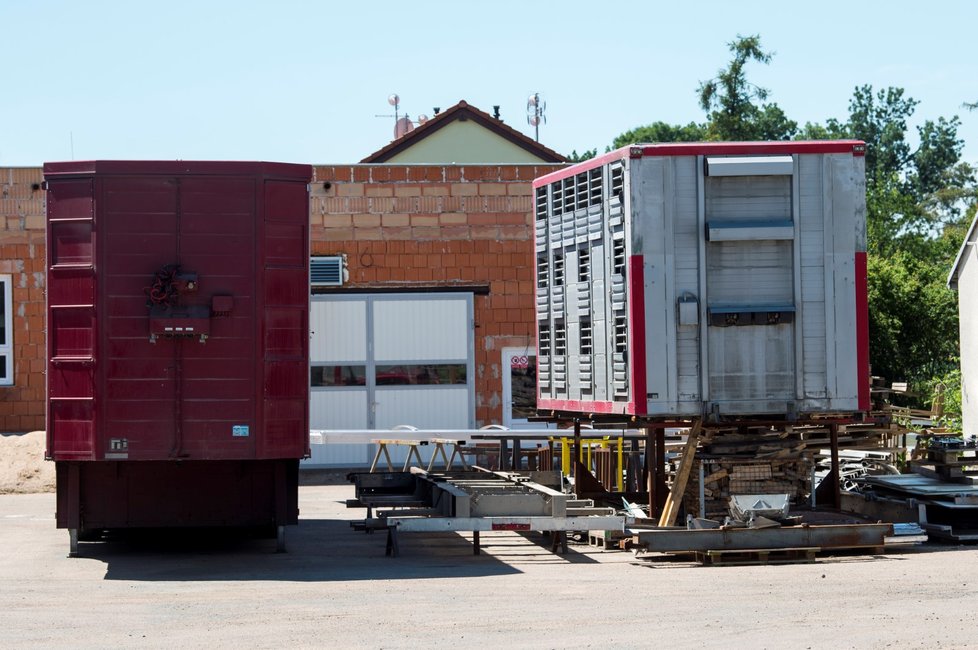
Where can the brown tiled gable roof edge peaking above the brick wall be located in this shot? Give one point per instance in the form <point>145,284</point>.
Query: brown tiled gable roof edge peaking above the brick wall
<point>462,112</point>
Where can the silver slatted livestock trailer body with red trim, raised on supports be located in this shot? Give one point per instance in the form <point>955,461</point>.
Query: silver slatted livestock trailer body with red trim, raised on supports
<point>704,279</point>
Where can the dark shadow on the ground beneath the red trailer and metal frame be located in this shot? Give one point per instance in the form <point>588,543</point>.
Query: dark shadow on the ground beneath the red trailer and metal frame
<point>318,550</point>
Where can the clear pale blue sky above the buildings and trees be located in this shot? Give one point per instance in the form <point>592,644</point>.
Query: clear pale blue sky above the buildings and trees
<point>304,81</point>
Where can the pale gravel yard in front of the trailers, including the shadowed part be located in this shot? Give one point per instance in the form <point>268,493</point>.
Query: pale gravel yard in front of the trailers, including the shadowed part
<point>335,588</point>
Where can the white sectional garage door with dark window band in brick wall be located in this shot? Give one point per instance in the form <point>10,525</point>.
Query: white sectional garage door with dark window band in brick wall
<point>384,360</point>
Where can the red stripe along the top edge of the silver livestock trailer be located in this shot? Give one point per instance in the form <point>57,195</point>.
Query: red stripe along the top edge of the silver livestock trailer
<point>855,147</point>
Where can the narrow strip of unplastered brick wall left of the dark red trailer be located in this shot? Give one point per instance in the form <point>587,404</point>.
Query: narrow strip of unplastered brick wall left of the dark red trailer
<point>22,253</point>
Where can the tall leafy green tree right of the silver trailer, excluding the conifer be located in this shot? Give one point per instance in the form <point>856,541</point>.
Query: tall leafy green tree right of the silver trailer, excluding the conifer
<point>918,203</point>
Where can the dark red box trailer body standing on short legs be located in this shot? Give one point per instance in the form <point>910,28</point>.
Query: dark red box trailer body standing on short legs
<point>177,383</point>
